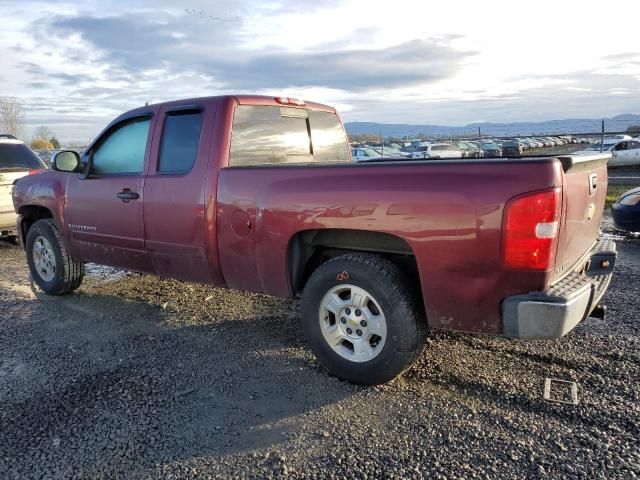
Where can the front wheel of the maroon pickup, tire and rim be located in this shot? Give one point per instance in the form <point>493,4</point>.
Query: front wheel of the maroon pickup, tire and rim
<point>53,270</point>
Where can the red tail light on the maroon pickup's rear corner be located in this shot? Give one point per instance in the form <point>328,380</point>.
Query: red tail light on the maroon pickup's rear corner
<point>530,232</point>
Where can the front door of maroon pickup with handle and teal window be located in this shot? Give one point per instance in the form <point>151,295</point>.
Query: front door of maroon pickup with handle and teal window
<point>103,211</point>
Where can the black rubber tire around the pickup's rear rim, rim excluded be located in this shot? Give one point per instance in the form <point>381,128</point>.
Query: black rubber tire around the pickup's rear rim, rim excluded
<point>399,302</point>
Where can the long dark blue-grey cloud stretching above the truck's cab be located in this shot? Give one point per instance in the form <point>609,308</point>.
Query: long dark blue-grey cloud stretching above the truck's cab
<point>134,44</point>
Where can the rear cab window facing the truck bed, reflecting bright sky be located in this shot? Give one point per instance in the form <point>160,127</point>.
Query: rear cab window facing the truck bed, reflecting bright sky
<point>263,135</point>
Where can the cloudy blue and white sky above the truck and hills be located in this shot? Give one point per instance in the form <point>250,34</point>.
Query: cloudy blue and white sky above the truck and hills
<point>77,64</point>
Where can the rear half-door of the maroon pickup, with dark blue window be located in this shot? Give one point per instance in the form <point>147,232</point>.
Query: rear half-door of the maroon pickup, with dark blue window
<point>175,205</point>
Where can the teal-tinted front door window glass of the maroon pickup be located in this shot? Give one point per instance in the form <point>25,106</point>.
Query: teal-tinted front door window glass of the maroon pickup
<point>122,151</point>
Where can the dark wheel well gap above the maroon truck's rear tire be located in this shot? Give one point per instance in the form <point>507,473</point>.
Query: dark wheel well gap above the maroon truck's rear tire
<point>311,248</point>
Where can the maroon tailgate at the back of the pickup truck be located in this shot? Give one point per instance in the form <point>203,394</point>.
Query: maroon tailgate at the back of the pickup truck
<point>584,192</point>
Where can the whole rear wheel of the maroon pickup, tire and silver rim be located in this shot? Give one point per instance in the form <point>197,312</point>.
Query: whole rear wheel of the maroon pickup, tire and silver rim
<point>363,319</point>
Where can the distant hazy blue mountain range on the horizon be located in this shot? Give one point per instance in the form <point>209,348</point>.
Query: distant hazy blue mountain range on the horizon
<point>619,123</point>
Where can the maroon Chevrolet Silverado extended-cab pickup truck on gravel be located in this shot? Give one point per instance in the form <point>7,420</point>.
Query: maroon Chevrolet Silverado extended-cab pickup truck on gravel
<point>260,194</point>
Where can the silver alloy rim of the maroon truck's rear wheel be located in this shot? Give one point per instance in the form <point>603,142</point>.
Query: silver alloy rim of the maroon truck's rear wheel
<point>352,323</point>
